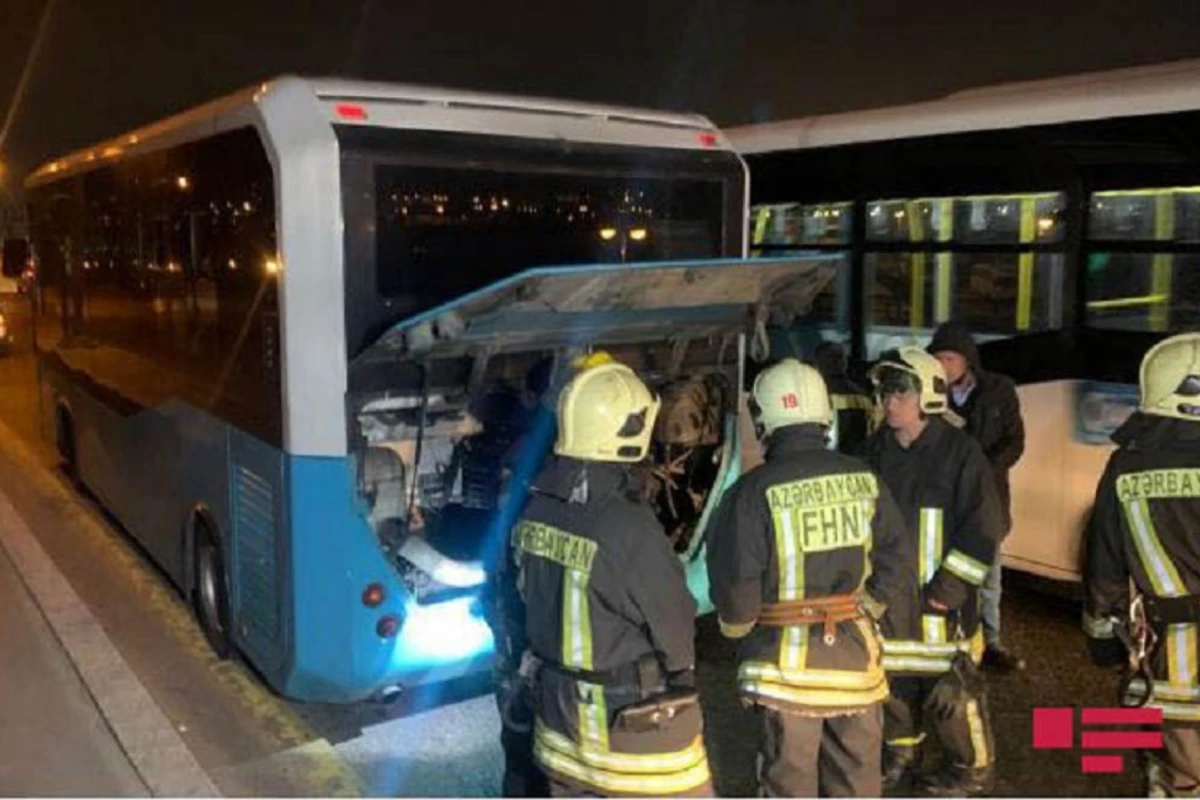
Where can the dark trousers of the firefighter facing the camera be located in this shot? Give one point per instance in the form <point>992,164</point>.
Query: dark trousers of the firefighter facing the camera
<point>965,737</point>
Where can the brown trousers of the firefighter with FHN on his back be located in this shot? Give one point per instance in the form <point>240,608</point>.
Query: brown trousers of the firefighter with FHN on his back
<point>831,757</point>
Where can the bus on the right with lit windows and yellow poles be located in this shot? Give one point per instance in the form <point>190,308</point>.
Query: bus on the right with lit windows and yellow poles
<point>1060,219</point>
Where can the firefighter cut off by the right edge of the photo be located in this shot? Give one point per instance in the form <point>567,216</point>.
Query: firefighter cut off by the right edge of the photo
<point>1144,528</point>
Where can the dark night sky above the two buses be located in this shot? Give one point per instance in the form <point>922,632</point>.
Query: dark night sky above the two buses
<point>110,65</point>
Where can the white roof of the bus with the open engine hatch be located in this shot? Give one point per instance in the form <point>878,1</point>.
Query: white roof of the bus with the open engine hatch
<point>346,101</point>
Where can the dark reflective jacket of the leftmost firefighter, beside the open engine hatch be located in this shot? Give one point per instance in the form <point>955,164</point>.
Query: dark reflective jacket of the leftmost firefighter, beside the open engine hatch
<point>610,618</point>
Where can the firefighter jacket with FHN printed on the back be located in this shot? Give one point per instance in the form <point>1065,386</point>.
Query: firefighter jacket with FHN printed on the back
<point>806,525</point>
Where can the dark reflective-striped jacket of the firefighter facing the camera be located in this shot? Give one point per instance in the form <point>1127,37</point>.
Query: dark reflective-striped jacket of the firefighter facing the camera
<point>947,496</point>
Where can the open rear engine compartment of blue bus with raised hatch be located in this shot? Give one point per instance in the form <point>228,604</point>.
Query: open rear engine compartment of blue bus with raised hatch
<point>443,408</point>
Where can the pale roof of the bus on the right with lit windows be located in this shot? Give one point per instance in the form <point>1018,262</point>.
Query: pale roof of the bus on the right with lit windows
<point>1133,92</point>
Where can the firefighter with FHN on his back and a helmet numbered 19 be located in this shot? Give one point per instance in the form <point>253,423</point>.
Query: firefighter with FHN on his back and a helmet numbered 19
<point>808,551</point>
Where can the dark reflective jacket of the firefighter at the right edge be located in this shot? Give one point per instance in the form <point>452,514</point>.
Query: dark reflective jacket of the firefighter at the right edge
<point>1145,527</point>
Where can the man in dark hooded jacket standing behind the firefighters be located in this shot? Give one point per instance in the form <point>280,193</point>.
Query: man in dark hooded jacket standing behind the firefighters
<point>988,404</point>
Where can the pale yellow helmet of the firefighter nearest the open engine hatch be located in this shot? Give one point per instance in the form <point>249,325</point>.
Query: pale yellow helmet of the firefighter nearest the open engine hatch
<point>607,413</point>
